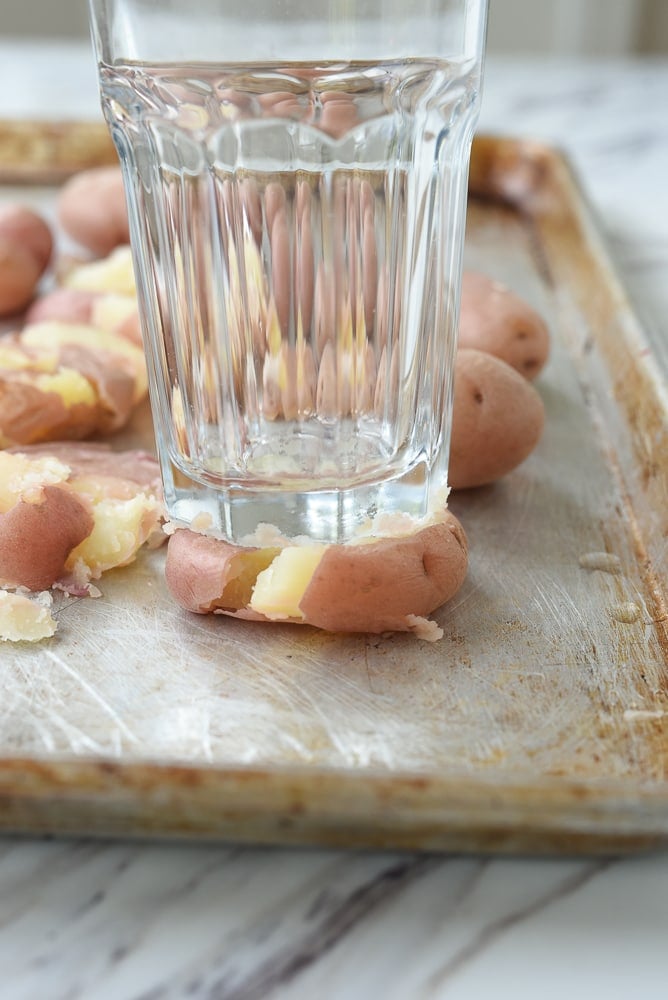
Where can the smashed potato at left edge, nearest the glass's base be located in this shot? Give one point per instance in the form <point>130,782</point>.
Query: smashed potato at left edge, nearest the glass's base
<point>69,514</point>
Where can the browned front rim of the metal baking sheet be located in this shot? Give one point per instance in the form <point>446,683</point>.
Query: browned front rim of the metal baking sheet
<point>307,806</point>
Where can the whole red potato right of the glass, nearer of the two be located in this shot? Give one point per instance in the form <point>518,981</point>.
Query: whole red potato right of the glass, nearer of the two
<point>497,420</point>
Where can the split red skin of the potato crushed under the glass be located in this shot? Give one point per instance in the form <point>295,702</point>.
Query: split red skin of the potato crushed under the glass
<point>373,587</point>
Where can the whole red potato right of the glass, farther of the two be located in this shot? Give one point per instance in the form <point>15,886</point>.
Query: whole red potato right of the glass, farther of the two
<point>496,320</point>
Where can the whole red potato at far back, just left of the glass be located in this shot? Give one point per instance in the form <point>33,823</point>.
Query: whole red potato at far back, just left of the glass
<point>92,209</point>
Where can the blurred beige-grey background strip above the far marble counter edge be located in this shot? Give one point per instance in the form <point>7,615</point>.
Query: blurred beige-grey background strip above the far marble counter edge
<point>552,27</point>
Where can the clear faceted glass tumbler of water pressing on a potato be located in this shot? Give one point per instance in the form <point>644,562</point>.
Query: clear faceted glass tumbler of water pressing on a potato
<point>296,176</point>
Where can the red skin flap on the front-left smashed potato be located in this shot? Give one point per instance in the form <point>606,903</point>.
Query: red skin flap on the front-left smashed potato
<point>36,538</point>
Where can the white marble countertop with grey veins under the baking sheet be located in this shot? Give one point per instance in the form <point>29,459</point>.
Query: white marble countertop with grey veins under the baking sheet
<point>124,921</point>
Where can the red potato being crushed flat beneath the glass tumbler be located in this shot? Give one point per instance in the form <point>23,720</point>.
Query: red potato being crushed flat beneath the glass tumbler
<point>384,584</point>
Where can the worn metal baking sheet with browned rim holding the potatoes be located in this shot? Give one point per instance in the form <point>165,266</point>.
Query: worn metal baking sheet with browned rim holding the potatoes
<point>538,723</point>
